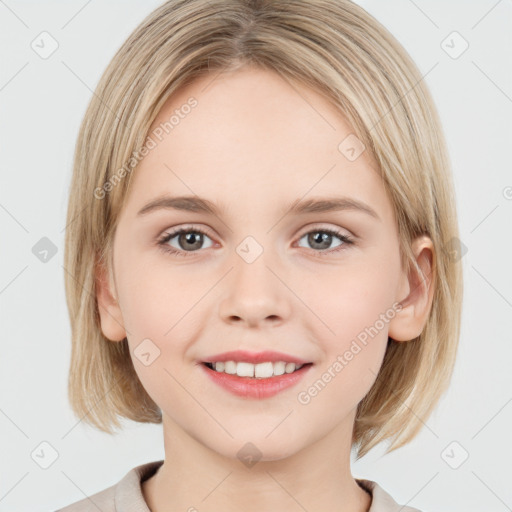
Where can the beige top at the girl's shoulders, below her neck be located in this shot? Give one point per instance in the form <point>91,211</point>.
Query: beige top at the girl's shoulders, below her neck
<point>126,495</point>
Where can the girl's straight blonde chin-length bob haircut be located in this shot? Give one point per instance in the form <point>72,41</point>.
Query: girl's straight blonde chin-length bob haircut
<point>334,47</point>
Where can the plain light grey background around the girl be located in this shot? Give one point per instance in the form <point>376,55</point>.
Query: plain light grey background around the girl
<point>42,102</point>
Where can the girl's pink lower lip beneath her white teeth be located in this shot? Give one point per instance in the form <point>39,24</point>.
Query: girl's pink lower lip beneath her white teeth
<point>249,387</point>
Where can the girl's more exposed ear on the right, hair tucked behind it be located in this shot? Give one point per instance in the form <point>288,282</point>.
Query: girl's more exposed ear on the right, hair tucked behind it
<point>415,293</point>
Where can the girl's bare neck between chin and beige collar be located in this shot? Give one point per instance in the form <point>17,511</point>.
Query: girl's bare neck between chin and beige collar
<point>316,478</point>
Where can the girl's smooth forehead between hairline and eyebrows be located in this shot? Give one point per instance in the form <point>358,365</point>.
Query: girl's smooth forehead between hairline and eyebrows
<point>252,136</point>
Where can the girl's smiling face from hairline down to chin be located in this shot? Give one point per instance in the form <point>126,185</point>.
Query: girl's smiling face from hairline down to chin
<point>256,274</point>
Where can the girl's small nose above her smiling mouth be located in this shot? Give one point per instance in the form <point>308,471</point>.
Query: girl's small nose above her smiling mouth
<point>254,294</point>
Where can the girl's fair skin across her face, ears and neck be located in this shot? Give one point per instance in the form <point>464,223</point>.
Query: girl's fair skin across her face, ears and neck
<point>254,145</point>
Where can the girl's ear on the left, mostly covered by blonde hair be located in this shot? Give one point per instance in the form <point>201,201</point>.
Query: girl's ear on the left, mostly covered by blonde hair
<point>112,324</point>
